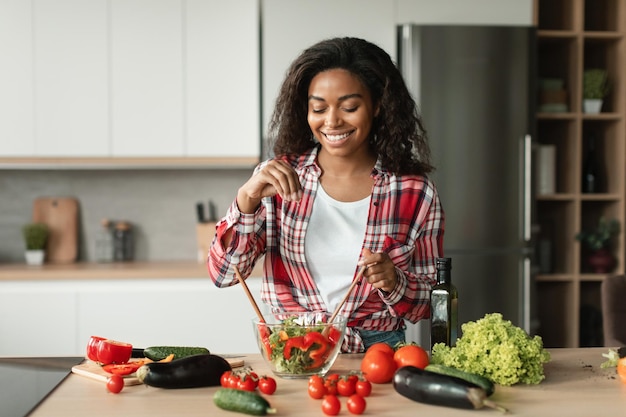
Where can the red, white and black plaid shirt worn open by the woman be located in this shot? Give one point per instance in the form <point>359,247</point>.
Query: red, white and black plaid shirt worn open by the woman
<point>405,220</point>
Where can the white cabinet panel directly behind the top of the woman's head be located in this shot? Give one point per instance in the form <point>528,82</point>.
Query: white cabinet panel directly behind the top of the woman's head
<point>291,26</point>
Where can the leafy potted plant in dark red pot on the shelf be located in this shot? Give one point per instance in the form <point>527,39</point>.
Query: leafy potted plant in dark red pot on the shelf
<point>598,242</point>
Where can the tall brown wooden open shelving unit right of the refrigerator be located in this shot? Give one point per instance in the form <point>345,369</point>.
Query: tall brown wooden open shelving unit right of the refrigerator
<point>574,35</point>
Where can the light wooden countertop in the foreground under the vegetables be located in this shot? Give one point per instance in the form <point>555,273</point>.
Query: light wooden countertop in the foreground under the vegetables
<point>575,385</point>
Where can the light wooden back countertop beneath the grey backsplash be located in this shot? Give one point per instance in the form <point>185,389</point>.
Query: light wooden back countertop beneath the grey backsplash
<point>115,270</point>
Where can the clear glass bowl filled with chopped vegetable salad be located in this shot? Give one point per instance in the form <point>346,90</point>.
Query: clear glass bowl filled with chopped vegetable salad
<point>300,344</point>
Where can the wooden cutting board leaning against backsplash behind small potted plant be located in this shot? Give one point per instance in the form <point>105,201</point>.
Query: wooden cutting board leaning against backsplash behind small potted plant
<point>61,216</point>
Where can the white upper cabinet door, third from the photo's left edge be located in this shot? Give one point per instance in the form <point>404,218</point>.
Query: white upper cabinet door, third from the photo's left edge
<point>147,78</point>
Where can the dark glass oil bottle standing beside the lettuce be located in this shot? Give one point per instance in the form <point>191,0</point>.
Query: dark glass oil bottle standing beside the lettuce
<point>443,306</point>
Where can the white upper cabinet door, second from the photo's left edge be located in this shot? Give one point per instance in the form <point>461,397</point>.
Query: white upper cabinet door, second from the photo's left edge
<point>70,77</point>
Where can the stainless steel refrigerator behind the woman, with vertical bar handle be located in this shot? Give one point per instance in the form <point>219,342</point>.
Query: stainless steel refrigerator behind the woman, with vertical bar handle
<point>475,89</point>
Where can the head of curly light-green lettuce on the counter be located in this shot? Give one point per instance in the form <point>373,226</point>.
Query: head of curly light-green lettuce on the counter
<point>497,350</point>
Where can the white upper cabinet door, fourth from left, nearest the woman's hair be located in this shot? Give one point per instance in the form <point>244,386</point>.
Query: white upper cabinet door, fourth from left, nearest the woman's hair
<point>223,78</point>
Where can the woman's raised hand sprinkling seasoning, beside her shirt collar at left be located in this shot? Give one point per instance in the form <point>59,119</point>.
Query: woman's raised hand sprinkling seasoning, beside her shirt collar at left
<point>277,177</point>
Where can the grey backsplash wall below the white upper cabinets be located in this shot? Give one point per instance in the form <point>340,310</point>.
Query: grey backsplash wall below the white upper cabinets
<point>160,204</point>
